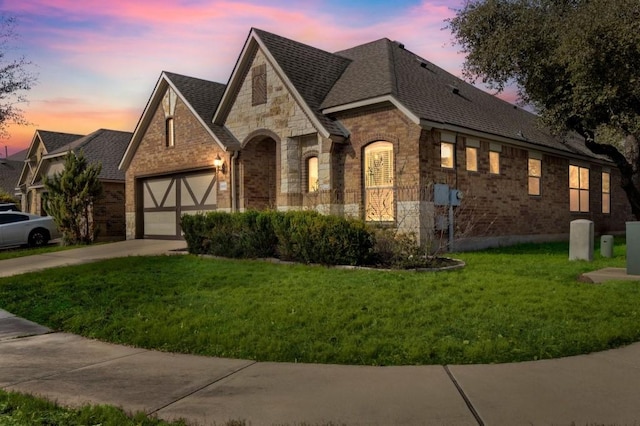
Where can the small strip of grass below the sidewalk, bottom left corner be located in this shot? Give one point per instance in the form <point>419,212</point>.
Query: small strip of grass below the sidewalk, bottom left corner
<point>18,409</point>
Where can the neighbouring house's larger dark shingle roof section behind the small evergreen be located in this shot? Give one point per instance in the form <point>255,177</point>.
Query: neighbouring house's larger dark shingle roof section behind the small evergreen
<point>104,146</point>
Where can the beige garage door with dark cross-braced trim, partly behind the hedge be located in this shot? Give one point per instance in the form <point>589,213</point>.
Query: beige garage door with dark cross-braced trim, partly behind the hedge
<point>167,198</point>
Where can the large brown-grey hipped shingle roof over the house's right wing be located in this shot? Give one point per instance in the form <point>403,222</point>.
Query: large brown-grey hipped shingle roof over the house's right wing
<point>384,67</point>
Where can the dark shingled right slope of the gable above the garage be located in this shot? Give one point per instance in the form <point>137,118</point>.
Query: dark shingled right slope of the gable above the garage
<point>204,97</point>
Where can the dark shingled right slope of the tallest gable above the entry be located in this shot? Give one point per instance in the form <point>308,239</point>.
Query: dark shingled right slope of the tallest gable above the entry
<point>313,72</point>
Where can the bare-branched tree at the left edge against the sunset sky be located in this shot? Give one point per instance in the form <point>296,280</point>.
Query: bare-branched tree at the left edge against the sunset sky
<point>15,77</point>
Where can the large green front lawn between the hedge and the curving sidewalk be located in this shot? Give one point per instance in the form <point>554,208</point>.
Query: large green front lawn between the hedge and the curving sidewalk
<point>512,304</point>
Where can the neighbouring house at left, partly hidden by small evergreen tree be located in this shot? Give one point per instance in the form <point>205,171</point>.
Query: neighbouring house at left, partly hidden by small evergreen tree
<point>45,157</point>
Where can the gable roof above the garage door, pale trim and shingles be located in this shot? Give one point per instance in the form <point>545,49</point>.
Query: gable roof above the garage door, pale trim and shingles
<point>200,96</point>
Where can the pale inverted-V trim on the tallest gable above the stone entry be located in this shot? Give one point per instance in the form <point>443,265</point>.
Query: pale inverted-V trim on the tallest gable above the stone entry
<point>251,46</point>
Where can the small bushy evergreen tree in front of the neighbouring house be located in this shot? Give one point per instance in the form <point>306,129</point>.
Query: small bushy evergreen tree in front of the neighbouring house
<point>71,194</point>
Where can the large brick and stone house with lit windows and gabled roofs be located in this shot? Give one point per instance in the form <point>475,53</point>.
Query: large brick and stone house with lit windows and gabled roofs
<point>374,131</point>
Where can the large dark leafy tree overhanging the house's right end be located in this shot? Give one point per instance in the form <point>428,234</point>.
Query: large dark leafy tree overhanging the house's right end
<point>577,62</point>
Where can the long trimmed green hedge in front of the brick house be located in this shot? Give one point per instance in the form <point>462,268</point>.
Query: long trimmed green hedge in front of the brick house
<point>300,236</point>
